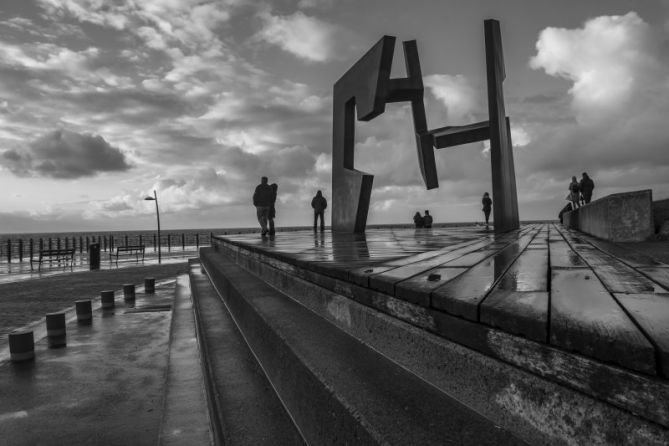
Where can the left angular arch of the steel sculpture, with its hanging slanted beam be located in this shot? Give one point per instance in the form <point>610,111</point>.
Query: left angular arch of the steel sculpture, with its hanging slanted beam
<point>366,88</point>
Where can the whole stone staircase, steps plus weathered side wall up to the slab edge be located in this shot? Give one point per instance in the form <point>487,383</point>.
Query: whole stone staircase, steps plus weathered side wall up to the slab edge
<point>290,359</point>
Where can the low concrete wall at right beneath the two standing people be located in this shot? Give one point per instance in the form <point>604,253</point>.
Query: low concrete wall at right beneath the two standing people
<point>623,217</point>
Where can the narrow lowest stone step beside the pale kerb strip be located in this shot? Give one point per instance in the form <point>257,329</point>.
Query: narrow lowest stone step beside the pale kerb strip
<point>244,409</point>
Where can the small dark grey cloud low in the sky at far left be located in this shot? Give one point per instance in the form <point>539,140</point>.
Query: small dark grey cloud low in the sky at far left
<point>67,155</point>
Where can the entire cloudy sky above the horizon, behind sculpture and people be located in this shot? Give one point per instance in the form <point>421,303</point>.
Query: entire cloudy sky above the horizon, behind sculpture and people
<point>104,101</point>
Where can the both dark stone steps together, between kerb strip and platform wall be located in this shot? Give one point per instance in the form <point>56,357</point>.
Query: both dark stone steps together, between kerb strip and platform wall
<point>278,373</point>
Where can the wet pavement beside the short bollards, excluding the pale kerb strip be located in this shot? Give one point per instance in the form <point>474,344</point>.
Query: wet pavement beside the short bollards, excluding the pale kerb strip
<point>105,386</point>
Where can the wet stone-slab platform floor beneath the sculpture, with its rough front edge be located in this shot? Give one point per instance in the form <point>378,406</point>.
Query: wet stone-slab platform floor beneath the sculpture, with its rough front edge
<point>550,285</point>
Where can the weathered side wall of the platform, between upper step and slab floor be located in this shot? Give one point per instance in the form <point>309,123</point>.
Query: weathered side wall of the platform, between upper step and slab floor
<point>526,387</point>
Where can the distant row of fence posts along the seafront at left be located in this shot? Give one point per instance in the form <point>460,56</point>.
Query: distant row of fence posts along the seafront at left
<point>21,249</point>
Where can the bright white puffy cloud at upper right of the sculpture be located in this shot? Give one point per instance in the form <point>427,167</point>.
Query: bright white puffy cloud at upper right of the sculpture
<point>612,62</point>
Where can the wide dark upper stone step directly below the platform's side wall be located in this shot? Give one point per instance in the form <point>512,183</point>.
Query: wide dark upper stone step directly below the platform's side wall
<point>336,388</point>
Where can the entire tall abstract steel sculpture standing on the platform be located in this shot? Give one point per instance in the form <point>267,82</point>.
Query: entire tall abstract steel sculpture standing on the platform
<point>367,88</point>
